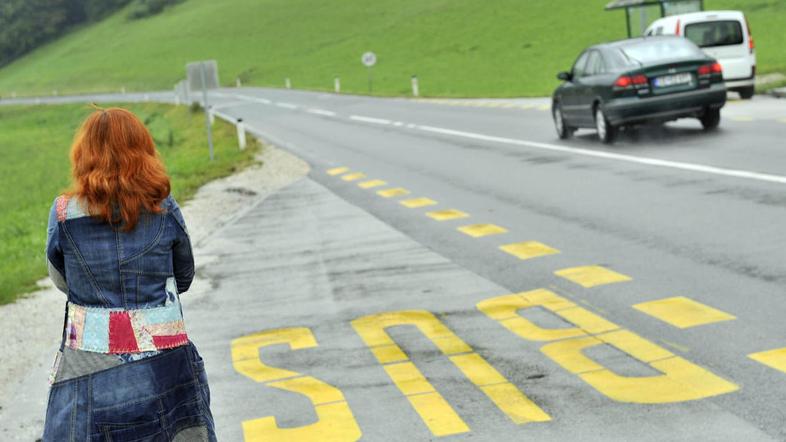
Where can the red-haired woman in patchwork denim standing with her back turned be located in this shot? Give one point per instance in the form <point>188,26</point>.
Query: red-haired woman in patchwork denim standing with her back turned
<point>117,245</point>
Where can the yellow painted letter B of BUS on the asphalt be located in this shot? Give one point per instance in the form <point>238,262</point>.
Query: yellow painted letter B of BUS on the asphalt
<point>681,380</point>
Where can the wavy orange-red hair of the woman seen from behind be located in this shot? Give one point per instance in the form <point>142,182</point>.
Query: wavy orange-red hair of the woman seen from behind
<point>116,168</point>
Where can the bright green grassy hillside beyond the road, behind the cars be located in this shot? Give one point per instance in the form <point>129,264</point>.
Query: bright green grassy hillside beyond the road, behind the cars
<point>492,48</point>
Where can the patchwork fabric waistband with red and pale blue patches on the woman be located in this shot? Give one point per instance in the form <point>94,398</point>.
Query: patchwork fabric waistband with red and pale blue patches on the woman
<point>105,330</point>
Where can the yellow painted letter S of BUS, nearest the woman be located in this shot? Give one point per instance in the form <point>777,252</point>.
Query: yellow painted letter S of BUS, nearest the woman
<point>335,421</point>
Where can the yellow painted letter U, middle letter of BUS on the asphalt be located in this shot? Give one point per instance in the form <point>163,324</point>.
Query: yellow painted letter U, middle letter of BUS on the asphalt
<point>434,410</point>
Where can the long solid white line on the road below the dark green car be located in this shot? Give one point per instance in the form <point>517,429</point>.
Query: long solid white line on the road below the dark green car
<point>780,179</point>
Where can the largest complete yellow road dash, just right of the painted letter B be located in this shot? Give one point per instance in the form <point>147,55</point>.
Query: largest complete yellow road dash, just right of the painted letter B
<point>682,312</point>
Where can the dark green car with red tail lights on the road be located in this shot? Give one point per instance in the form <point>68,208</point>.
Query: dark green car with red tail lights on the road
<point>636,81</point>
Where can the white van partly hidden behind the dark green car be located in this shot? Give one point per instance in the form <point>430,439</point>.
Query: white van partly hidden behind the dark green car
<point>724,36</point>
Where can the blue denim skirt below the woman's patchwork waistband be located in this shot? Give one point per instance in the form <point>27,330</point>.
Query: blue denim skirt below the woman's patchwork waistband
<point>152,399</point>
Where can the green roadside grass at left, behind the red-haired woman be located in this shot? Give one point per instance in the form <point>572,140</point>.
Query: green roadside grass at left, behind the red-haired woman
<point>35,169</point>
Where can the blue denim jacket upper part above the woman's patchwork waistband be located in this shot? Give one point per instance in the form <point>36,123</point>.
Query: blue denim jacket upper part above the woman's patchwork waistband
<point>98,265</point>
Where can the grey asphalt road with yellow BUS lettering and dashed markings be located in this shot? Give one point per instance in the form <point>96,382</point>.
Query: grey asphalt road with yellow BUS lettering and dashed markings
<point>560,290</point>
